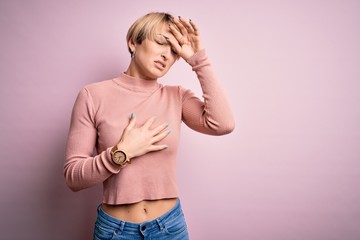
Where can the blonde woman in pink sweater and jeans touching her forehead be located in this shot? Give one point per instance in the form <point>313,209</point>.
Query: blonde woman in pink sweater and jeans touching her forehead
<point>133,122</point>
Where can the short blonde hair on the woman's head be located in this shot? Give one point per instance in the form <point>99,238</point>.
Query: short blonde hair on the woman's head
<point>145,26</point>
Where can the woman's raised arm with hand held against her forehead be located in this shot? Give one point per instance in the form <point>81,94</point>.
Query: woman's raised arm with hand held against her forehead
<point>213,115</point>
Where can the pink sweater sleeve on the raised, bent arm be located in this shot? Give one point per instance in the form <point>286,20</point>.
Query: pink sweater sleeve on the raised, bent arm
<point>212,115</point>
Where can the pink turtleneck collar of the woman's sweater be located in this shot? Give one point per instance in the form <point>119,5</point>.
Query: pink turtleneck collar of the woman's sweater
<point>136,84</point>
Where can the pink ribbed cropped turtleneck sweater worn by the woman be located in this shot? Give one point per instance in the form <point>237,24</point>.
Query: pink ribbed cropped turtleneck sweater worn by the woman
<point>101,112</point>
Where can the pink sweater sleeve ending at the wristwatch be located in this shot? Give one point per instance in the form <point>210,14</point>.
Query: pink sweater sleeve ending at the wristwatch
<point>81,168</point>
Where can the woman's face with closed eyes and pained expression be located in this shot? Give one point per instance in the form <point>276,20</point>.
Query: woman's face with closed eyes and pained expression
<point>153,58</point>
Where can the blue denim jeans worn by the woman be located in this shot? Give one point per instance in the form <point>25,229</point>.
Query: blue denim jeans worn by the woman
<point>171,225</point>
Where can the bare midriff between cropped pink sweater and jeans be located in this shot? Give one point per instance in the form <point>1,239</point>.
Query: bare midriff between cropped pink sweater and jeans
<point>143,211</point>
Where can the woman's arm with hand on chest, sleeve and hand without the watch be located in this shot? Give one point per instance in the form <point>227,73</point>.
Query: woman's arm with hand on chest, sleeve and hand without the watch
<point>82,169</point>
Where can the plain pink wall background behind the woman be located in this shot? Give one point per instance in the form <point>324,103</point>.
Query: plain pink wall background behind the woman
<point>291,69</point>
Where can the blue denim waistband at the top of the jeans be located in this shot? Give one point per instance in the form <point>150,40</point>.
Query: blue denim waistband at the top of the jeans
<point>156,224</point>
